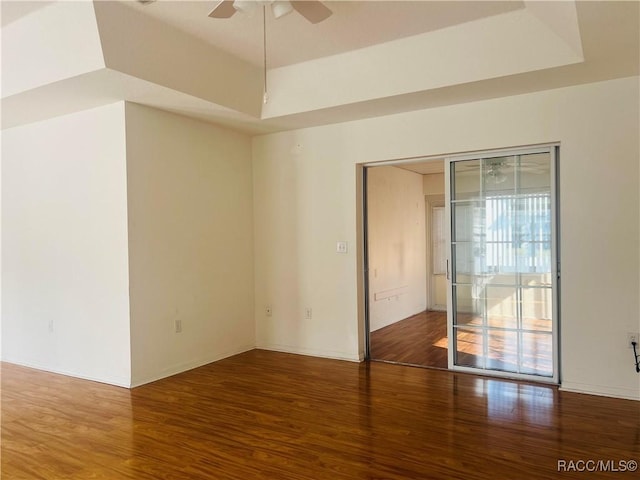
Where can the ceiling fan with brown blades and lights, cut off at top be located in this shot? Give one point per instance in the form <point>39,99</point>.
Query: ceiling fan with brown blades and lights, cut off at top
<point>313,10</point>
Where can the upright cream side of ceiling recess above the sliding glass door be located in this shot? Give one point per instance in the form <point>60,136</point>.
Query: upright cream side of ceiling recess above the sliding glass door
<point>498,46</point>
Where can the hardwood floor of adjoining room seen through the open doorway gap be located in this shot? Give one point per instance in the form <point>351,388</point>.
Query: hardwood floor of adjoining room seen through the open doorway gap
<point>417,340</point>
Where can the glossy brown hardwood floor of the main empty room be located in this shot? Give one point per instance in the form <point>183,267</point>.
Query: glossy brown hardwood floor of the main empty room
<point>266,415</point>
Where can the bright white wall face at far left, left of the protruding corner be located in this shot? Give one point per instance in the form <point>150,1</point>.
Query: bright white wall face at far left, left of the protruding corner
<point>65,302</point>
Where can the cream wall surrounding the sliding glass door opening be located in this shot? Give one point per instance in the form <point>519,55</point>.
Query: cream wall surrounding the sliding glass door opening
<point>306,195</point>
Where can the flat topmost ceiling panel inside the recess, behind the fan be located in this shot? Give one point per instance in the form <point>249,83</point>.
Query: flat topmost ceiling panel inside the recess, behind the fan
<point>292,39</point>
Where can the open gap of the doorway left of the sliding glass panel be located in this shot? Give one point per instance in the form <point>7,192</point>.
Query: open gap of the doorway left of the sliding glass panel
<point>406,257</point>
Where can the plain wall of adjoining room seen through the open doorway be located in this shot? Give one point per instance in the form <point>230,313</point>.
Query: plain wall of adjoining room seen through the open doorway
<point>397,245</point>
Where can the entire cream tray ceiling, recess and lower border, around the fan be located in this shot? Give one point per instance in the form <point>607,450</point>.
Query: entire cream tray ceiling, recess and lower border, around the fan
<point>369,59</point>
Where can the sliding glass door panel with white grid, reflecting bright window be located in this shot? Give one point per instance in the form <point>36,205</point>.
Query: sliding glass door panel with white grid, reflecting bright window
<point>503,264</point>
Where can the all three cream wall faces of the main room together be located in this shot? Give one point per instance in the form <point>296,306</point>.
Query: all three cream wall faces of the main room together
<point>64,243</point>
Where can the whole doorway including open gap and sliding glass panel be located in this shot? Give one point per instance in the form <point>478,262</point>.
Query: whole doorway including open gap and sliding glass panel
<point>498,259</point>
